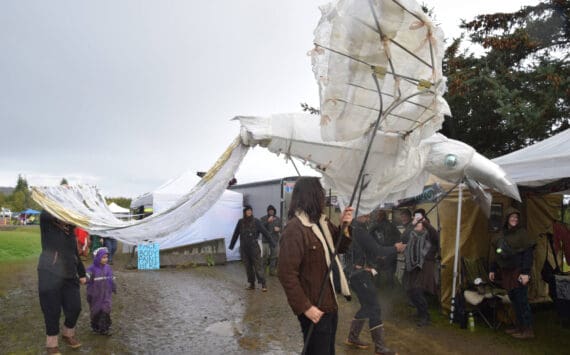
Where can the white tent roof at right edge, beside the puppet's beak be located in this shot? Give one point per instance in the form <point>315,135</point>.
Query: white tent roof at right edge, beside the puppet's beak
<point>539,163</point>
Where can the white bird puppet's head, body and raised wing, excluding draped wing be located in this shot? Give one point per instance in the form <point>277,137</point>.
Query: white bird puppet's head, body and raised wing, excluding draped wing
<point>378,64</point>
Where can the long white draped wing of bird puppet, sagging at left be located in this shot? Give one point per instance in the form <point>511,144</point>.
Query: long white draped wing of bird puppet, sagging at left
<point>85,207</point>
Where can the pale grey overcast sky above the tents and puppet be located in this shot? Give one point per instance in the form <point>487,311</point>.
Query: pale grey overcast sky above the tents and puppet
<point>127,94</point>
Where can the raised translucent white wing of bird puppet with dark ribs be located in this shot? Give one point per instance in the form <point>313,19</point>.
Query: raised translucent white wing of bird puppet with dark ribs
<point>396,41</point>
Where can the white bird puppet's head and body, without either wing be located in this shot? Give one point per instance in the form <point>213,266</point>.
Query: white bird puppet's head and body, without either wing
<point>394,169</point>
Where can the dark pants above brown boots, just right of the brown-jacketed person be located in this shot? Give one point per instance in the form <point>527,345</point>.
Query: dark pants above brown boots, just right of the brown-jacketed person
<point>362,284</point>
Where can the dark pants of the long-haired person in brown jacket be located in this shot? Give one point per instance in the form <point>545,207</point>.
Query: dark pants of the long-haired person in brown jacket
<point>323,336</point>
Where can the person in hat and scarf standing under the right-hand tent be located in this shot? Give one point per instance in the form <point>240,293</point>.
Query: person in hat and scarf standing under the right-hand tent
<point>513,251</point>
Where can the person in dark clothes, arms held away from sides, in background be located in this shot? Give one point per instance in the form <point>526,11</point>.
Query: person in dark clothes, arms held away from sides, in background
<point>248,229</point>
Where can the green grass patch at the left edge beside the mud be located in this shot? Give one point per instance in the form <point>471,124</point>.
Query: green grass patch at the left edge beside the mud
<point>20,243</point>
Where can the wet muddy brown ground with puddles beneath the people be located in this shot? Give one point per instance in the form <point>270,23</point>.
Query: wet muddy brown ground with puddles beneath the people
<point>206,310</point>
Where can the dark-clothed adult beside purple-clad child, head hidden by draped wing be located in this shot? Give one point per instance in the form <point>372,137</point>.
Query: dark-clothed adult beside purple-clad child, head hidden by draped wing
<point>60,272</point>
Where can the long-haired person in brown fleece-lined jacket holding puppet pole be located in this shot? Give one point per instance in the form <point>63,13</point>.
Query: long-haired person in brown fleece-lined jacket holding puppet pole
<point>307,246</point>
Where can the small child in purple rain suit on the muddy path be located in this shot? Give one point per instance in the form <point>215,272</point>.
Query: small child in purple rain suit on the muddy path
<point>100,285</point>
